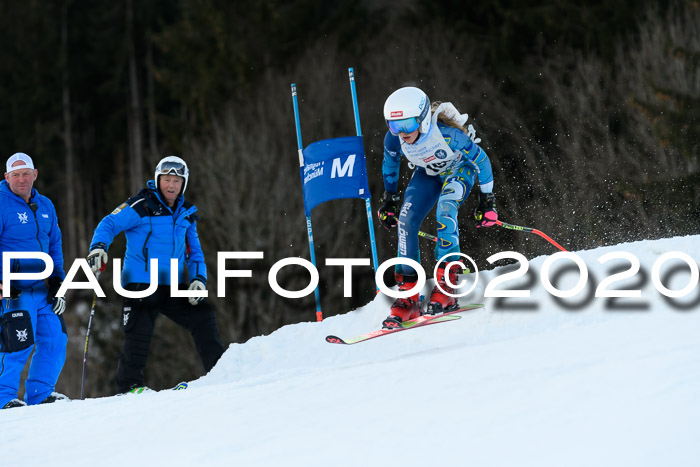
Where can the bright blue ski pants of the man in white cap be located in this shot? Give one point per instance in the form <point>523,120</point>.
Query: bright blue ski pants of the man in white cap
<point>50,339</point>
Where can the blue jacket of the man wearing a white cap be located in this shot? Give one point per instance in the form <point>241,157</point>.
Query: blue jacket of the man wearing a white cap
<point>29,227</point>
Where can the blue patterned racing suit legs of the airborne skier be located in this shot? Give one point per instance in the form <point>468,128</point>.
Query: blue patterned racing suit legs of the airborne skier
<point>422,193</point>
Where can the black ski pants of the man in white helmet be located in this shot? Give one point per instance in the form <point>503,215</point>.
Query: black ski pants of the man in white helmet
<point>138,321</point>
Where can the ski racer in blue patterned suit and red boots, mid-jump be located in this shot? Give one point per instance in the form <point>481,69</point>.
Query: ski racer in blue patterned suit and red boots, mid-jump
<point>447,161</point>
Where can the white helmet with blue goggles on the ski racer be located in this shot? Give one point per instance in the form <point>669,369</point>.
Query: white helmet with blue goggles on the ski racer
<point>406,110</point>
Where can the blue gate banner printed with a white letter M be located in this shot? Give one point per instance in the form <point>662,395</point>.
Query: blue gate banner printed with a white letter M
<point>334,169</point>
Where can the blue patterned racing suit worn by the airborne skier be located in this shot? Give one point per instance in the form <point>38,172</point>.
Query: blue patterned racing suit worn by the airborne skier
<point>447,165</point>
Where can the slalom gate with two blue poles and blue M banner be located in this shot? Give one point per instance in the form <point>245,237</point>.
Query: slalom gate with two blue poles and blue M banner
<point>333,169</point>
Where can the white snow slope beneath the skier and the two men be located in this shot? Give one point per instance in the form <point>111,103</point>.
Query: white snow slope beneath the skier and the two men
<point>526,382</point>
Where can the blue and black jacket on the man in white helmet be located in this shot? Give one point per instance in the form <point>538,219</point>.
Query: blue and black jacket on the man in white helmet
<point>154,230</point>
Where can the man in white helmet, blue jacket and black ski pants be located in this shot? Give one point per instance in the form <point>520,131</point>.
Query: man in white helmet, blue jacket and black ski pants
<point>158,224</point>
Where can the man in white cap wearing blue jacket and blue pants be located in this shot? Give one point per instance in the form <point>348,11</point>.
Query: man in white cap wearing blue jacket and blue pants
<point>30,313</point>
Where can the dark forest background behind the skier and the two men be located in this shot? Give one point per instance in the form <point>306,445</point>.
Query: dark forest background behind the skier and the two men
<point>588,110</point>
